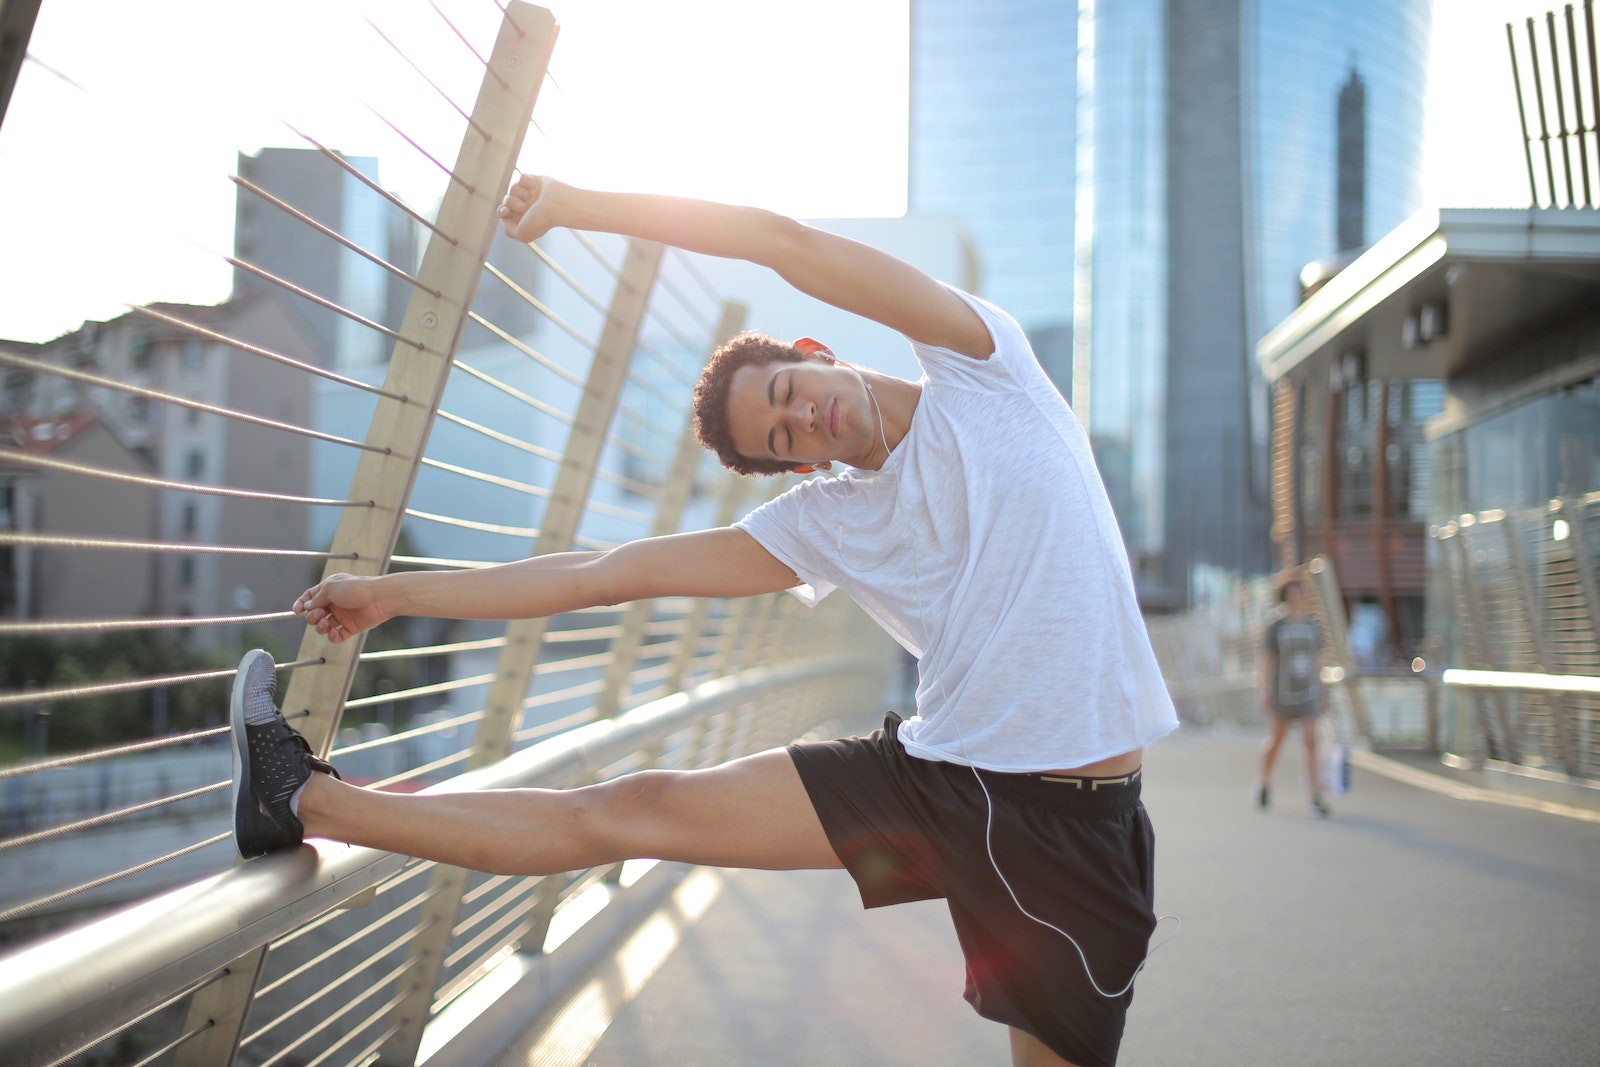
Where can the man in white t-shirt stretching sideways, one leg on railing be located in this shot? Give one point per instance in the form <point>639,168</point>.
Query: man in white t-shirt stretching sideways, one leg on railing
<point>967,519</point>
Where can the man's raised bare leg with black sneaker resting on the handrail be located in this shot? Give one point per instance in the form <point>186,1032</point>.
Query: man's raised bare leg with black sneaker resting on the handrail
<point>746,813</point>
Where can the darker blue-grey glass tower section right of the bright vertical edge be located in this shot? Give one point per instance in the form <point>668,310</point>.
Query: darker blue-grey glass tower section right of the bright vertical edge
<point>1210,174</point>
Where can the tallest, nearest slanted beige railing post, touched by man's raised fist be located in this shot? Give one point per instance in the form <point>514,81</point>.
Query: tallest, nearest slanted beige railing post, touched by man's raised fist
<point>436,318</point>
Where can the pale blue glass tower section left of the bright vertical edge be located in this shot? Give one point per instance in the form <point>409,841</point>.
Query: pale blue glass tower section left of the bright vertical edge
<point>993,145</point>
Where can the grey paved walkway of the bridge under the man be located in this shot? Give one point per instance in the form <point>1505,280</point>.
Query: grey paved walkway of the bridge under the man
<point>1412,929</point>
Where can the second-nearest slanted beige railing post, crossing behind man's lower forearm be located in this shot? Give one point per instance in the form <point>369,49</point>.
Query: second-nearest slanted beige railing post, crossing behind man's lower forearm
<point>526,637</point>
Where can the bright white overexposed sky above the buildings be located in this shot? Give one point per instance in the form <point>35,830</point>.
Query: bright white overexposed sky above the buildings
<point>127,119</point>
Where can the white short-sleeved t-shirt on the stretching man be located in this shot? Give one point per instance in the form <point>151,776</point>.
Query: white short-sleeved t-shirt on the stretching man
<point>988,548</point>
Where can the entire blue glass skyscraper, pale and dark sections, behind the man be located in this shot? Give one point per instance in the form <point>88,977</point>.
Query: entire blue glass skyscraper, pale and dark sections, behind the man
<point>1172,166</point>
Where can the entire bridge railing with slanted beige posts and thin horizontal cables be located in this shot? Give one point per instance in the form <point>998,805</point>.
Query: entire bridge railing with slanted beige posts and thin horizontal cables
<point>177,476</point>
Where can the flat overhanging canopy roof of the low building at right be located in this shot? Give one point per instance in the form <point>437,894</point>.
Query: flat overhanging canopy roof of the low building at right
<point>1441,292</point>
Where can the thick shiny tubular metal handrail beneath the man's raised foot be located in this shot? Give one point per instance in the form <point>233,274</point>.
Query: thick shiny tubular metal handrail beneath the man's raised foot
<point>68,993</point>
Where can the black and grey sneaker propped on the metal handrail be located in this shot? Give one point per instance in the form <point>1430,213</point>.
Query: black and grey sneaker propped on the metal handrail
<point>271,762</point>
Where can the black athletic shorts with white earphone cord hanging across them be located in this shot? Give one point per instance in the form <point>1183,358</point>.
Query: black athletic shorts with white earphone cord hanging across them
<point>1079,853</point>
